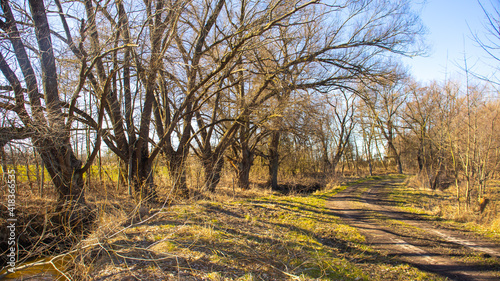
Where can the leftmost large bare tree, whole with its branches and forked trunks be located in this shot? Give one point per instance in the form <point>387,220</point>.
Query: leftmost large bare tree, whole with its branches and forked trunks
<point>45,120</point>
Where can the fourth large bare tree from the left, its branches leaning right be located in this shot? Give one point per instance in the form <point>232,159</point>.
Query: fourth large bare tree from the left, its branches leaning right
<point>258,23</point>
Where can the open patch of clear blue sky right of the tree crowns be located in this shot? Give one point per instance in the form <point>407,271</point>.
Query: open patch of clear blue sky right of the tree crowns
<point>450,25</point>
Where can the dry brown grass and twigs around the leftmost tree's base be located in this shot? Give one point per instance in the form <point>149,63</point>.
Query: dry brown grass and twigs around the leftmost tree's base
<point>41,237</point>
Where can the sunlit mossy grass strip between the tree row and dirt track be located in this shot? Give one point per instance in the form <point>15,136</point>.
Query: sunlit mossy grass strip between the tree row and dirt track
<point>268,237</point>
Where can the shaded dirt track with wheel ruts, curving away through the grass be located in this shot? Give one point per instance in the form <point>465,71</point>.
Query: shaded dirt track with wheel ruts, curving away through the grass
<point>410,238</point>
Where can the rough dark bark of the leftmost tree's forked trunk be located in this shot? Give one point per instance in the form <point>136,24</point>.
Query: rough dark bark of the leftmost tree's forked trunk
<point>52,141</point>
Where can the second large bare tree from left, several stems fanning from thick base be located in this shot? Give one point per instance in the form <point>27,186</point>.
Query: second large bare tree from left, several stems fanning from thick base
<point>118,66</point>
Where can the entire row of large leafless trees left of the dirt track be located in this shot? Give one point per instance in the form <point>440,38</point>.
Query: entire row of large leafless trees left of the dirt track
<point>160,72</point>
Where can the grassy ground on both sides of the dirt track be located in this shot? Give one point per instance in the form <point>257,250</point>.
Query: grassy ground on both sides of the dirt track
<point>257,234</point>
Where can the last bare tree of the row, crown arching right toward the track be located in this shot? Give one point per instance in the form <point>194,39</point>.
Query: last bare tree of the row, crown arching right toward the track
<point>345,54</point>
